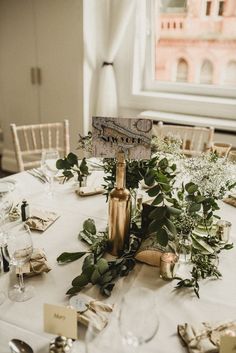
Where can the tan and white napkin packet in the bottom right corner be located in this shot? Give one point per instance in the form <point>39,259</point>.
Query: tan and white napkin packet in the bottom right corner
<point>205,337</point>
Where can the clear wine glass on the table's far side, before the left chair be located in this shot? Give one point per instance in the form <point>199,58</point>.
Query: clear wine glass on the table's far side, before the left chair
<point>48,164</point>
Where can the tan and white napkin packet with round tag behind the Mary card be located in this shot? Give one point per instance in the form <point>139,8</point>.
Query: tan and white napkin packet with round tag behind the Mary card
<point>94,311</point>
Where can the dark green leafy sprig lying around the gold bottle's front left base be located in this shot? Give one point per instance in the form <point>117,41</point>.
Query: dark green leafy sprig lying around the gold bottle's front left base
<point>97,270</point>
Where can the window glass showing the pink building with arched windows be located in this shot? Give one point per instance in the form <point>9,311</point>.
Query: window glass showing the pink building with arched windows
<point>205,44</point>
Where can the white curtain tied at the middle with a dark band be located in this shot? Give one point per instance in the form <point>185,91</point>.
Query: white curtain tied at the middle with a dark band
<point>119,15</point>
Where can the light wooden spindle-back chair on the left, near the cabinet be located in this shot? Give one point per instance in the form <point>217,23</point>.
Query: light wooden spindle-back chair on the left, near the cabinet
<point>30,140</point>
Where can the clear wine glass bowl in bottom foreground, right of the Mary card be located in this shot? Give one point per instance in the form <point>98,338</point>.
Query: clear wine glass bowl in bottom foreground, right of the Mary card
<point>138,319</point>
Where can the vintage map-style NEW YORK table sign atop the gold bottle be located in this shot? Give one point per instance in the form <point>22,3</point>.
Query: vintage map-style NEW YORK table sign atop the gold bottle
<point>130,135</point>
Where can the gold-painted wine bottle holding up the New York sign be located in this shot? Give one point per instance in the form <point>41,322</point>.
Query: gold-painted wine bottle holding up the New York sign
<point>119,209</point>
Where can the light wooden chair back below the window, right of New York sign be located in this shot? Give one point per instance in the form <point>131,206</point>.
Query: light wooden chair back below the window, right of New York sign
<point>195,140</point>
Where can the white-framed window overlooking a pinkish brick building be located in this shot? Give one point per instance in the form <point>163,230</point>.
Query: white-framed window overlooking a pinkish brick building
<point>185,63</point>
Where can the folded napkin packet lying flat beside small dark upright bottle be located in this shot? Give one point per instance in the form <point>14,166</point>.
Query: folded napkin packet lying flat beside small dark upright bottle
<point>41,220</point>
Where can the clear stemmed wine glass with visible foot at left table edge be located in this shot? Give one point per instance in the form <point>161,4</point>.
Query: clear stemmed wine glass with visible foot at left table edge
<point>19,250</point>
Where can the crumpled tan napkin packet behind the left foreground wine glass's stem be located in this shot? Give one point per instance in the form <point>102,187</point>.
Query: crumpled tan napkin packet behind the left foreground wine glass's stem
<point>36,265</point>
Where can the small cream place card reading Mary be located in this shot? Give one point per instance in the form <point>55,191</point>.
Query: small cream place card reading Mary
<point>60,320</point>
